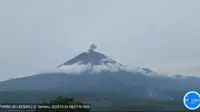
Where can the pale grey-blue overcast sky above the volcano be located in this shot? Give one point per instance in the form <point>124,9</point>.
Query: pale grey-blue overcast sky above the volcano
<point>37,35</point>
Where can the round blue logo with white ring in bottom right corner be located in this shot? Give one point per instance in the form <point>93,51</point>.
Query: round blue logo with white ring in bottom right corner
<point>191,100</point>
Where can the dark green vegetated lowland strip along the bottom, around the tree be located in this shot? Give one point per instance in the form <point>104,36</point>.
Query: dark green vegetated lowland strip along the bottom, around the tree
<point>99,101</point>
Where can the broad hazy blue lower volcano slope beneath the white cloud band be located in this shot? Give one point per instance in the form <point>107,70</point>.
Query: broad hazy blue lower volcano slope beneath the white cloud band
<point>107,82</point>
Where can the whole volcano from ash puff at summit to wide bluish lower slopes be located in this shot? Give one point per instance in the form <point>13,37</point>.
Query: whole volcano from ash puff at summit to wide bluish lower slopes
<point>99,77</point>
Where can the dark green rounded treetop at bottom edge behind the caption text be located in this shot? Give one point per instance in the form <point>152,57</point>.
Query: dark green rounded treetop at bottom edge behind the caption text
<point>60,101</point>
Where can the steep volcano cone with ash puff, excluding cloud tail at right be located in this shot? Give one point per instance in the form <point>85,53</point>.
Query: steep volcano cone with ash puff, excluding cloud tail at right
<point>92,61</point>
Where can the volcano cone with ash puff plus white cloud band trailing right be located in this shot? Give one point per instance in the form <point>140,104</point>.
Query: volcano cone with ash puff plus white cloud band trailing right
<point>92,61</point>
